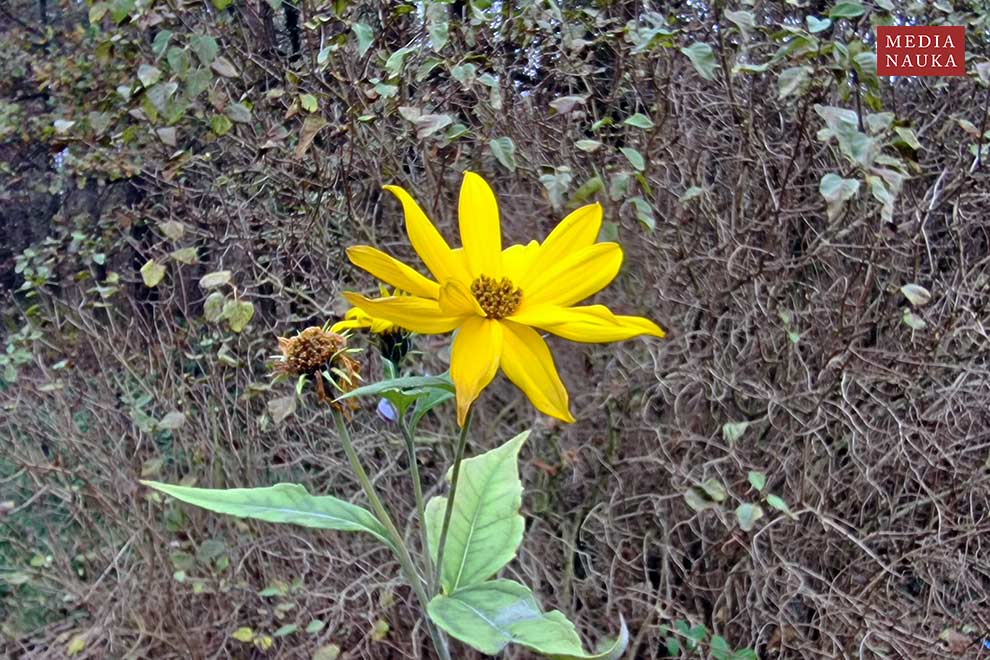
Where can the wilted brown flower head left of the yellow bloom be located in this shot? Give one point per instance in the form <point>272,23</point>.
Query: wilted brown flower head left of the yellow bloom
<point>322,355</point>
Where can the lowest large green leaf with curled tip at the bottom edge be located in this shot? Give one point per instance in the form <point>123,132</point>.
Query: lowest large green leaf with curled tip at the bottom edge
<point>491,615</point>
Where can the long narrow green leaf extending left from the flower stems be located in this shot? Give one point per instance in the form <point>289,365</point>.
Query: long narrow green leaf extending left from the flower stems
<point>282,503</point>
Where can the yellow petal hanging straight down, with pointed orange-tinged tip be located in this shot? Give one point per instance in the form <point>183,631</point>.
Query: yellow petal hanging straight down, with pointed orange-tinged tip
<point>474,360</point>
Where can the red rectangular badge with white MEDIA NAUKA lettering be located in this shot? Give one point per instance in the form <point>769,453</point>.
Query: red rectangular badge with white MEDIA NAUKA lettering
<point>928,50</point>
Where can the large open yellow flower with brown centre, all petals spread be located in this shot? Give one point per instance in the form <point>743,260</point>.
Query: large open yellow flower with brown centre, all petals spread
<point>495,298</point>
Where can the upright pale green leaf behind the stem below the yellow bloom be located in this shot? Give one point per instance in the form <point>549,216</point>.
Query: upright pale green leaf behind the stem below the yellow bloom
<point>485,525</point>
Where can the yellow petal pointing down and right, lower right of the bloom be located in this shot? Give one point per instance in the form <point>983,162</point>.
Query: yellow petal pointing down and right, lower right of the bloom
<point>527,361</point>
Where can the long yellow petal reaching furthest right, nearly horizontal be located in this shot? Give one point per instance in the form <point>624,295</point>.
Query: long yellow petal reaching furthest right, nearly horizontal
<point>595,324</point>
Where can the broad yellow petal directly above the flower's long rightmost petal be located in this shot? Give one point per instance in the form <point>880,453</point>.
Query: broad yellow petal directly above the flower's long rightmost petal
<point>573,278</point>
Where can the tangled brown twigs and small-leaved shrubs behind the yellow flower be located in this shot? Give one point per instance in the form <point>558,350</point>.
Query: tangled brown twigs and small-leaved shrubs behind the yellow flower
<point>154,143</point>
